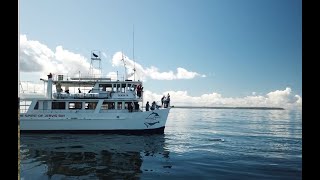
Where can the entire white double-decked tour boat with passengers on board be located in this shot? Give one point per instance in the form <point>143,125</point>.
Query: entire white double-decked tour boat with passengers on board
<point>103,105</point>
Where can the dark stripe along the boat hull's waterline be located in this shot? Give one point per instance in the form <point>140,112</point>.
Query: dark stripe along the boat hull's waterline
<point>138,131</point>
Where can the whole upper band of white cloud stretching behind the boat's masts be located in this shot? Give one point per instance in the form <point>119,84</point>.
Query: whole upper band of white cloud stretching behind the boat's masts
<point>37,57</point>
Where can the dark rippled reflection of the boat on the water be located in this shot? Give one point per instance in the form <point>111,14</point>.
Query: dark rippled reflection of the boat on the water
<point>46,156</point>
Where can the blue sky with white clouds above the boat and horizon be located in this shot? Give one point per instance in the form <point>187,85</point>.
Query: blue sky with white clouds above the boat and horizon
<point>202,52</point>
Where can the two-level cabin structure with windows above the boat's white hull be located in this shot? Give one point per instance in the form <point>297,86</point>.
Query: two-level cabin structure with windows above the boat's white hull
<point>94,94</point>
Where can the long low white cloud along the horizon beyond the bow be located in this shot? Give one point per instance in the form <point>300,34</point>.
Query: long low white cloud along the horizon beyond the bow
<point>279,98</point>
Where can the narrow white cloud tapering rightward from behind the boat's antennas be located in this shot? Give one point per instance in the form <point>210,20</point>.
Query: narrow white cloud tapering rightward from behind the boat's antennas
<point>150,72</point>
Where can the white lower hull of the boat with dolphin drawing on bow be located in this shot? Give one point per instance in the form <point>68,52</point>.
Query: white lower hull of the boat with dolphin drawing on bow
<point>85,122</point>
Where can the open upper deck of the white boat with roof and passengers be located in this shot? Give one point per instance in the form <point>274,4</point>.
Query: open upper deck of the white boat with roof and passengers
<point>93,87</point>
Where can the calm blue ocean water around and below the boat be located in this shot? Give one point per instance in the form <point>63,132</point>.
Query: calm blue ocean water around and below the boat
<point>197,144</point>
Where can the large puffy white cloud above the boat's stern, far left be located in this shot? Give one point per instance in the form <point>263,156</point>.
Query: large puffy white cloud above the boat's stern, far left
<point>37,57</point>
